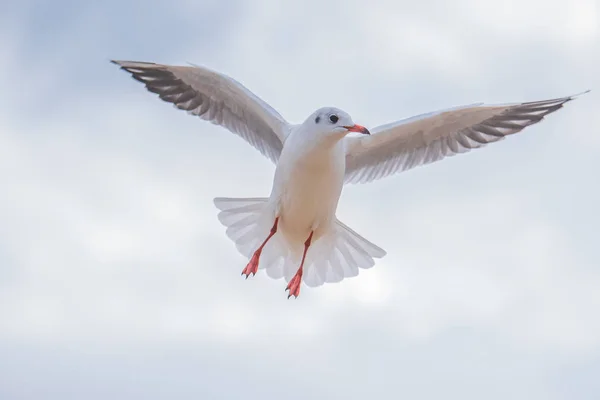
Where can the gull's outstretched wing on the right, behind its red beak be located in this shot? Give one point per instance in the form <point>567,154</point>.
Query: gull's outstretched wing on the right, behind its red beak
<point>430,137</point>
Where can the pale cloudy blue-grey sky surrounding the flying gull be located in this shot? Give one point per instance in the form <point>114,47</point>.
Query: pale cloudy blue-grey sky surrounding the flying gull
<point>117,280</point>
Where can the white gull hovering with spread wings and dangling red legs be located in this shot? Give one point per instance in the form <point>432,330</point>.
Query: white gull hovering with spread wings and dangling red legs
<point>294,233</point>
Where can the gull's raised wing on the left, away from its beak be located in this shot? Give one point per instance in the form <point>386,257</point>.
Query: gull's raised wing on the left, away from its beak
<point>216,98</point>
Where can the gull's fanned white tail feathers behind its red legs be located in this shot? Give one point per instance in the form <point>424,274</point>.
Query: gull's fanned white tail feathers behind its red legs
<point>338,254</point>
